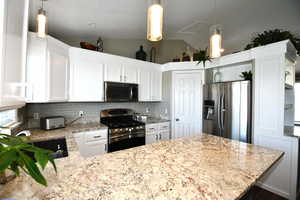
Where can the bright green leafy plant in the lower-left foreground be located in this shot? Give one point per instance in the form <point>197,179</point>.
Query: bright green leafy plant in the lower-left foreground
<point>14,156</point>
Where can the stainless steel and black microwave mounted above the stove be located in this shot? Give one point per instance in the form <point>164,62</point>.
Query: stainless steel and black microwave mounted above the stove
<point>120,92</point>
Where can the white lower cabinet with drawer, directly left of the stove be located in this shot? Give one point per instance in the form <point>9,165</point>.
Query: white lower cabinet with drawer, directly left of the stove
<point>92,143</point>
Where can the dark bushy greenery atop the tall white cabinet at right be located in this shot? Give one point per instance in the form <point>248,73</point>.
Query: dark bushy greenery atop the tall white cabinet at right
<point>271,36</point>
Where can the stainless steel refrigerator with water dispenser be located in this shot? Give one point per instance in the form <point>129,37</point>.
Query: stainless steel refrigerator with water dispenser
<point>227,110</point>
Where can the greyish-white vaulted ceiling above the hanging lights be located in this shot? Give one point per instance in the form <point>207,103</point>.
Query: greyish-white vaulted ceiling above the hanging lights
<point>184,19</point>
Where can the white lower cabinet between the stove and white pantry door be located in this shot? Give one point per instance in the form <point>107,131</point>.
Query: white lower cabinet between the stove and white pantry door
<point>157,132</point>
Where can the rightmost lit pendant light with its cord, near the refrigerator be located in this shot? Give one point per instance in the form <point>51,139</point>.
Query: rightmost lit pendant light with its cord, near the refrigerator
<point>215,38</point>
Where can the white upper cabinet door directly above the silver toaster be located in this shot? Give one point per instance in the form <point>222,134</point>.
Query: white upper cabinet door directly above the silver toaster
<point>58,68</point>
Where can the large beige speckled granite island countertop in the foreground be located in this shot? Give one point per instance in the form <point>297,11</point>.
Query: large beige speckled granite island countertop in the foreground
<point>201,167</point>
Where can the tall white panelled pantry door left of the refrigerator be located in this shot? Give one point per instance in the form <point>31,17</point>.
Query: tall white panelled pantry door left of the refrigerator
<point>187,104</point>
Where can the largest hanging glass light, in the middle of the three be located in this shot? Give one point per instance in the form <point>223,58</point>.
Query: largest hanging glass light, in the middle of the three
<point>155,21</point>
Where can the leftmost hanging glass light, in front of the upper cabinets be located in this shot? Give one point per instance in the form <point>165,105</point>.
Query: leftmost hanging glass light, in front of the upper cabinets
<point>41,22</point>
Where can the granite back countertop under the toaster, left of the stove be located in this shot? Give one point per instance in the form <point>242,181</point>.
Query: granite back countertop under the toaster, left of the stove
<point>39,134</point>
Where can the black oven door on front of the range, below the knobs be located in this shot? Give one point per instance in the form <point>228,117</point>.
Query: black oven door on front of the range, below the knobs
<point>126,141</point>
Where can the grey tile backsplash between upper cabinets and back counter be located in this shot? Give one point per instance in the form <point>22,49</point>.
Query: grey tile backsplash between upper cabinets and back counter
<point>91,110</point>
